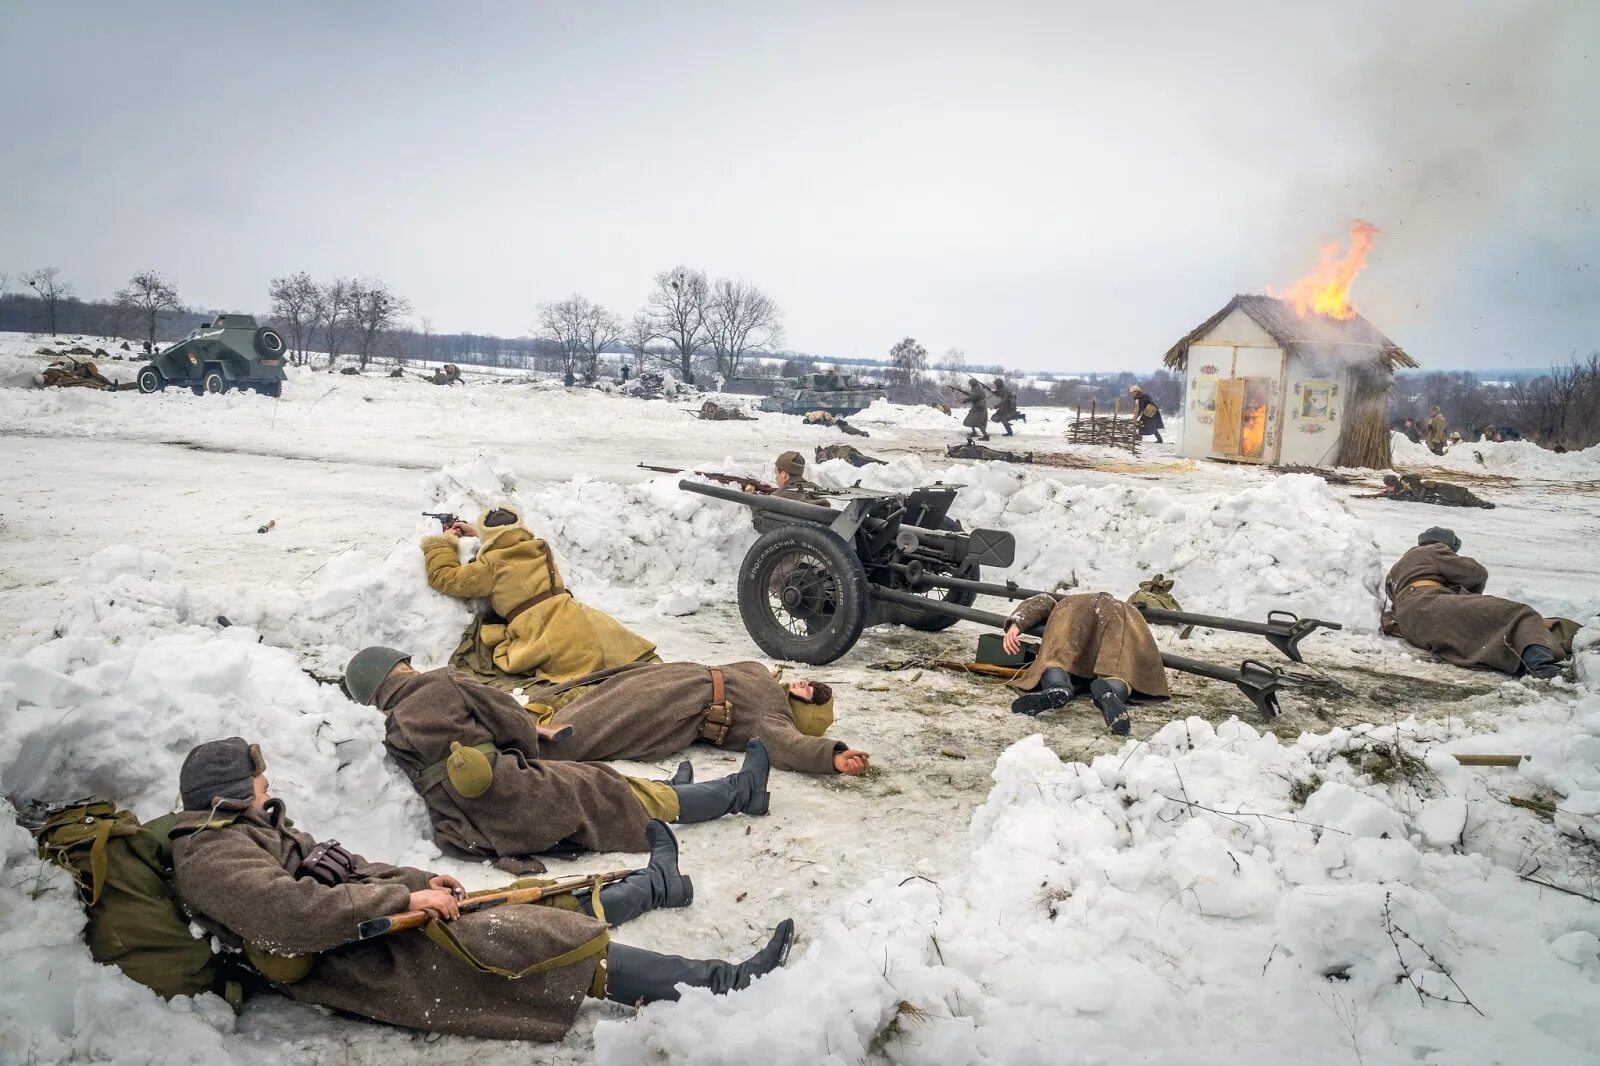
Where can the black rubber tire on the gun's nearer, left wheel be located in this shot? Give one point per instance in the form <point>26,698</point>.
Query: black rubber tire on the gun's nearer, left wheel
<point>844,567</point>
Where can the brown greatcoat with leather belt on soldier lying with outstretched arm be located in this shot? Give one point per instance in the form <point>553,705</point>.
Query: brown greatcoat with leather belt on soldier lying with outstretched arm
<point>646,711</point>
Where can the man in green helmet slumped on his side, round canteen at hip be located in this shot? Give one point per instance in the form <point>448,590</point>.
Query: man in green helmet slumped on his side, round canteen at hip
<point>492,787</point>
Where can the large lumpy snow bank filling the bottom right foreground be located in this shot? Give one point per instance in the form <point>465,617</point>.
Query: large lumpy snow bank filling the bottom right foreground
<point>1175,904</point>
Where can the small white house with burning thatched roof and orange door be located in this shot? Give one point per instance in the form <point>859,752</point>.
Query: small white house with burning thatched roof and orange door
<point>1271,382</point>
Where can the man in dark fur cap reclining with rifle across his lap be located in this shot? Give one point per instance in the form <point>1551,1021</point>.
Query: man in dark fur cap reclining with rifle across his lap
<point>513,972</point>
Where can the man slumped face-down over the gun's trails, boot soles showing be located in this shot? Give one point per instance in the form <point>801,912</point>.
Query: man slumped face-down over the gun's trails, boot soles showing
<point>1094,643</point>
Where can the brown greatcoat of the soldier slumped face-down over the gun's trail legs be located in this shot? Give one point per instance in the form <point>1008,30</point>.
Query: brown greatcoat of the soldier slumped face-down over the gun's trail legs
<point>1092,636</point>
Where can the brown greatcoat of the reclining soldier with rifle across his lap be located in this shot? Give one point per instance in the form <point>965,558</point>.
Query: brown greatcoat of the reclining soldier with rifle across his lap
<point>239,881</point>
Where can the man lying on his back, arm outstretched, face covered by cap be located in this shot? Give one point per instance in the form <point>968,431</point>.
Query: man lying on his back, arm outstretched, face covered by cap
<point>650,710</point>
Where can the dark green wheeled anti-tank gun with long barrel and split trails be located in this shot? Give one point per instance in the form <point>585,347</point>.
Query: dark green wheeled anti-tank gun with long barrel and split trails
<point>810,587</point>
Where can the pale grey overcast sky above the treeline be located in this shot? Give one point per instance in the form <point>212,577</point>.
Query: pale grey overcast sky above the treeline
<point>1058,185</point>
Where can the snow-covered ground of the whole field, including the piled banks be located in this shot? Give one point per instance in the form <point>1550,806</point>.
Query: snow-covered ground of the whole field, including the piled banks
<point>996,889</point>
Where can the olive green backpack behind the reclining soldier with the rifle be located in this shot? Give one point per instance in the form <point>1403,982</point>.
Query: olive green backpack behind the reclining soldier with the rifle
<point>124,873</point>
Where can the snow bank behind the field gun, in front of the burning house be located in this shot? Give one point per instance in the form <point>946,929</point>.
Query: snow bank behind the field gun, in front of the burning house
<point>1287,545</point>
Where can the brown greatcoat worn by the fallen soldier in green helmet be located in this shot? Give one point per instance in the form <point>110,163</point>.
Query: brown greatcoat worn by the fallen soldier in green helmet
<point>534,804</point>
